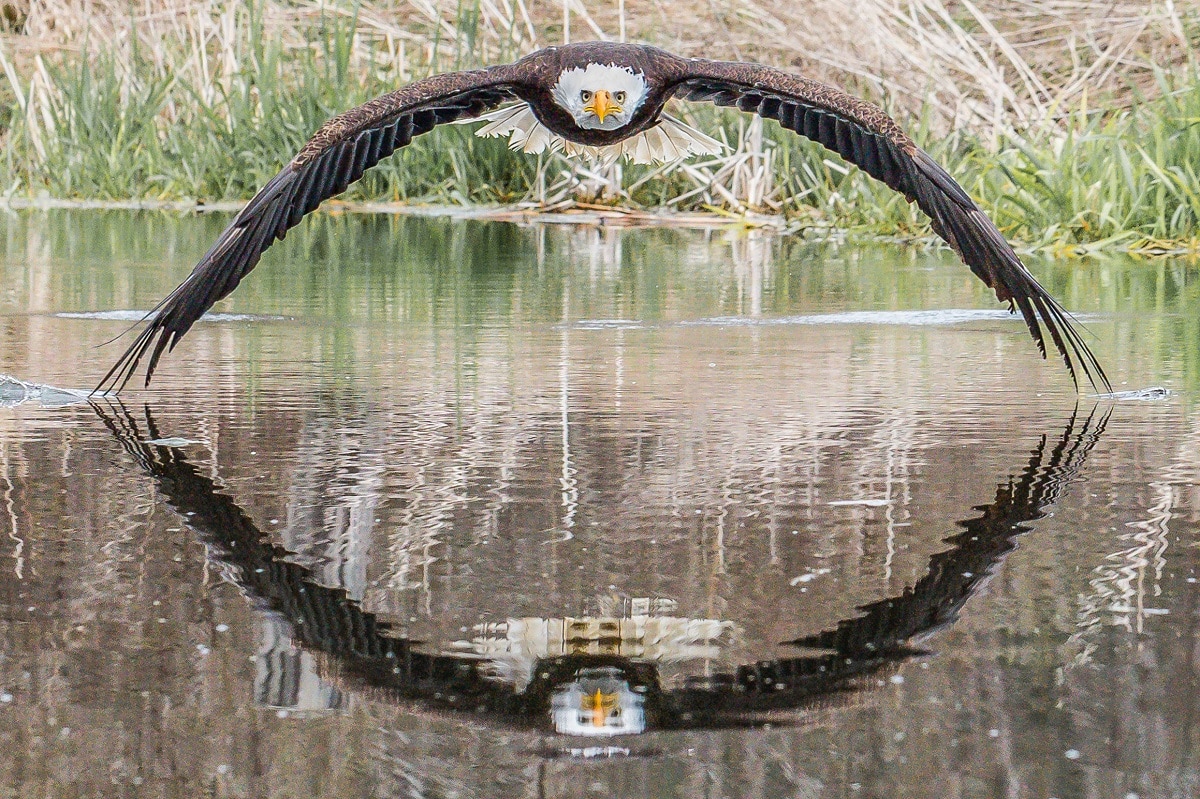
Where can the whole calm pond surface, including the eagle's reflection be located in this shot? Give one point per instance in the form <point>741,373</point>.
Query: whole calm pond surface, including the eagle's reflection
<point>472,509</point>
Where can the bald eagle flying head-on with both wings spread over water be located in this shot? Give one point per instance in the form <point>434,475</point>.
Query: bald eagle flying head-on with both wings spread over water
<point>604,100</point>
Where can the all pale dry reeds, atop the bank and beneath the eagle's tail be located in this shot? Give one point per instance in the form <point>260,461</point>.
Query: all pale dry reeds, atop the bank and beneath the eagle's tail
<point>993,69</point>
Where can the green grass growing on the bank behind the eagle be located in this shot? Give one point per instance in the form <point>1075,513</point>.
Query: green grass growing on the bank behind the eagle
<point>111,125</point>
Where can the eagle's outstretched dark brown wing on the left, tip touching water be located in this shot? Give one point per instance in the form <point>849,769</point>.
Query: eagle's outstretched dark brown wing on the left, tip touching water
<point>337,157</point>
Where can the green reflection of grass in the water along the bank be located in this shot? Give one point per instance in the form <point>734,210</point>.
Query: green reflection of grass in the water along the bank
<point>367,278</point>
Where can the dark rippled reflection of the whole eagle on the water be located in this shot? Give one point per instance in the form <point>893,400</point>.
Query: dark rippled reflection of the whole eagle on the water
<point>601,677</point>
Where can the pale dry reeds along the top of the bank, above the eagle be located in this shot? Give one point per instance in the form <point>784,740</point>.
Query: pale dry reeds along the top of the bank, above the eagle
<point>988,65</point>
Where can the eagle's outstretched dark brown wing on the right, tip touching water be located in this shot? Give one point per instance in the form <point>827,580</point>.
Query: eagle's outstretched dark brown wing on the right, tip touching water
<point>867,137</point>
